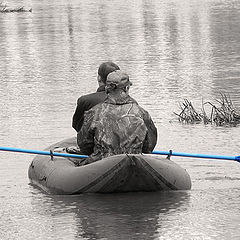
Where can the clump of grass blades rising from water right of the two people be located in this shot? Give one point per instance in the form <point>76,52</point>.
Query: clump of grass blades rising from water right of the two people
<point>221,113</point>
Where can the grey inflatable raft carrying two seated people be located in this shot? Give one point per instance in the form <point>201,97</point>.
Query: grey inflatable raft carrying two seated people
<point>119,173</point>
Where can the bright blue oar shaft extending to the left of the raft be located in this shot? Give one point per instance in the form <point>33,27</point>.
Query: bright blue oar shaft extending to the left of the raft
<point>41,152</point>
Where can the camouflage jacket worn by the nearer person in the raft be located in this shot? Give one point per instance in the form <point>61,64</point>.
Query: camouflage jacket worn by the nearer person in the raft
<point>118,125</point>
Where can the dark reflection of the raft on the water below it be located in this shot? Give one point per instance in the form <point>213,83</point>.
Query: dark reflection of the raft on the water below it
<point>114,216</point>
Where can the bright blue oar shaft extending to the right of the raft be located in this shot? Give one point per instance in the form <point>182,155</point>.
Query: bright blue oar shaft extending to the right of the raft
<point>235,158</point>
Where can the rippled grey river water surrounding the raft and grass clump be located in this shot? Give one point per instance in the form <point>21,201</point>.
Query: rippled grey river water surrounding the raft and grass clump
<point>172,50</point>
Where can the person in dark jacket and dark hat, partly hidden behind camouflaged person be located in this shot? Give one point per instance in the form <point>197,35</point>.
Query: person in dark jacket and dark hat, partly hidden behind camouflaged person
<point>86,102</point>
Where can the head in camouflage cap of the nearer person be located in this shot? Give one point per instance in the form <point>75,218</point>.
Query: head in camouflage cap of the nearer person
<point>117,80</point>
